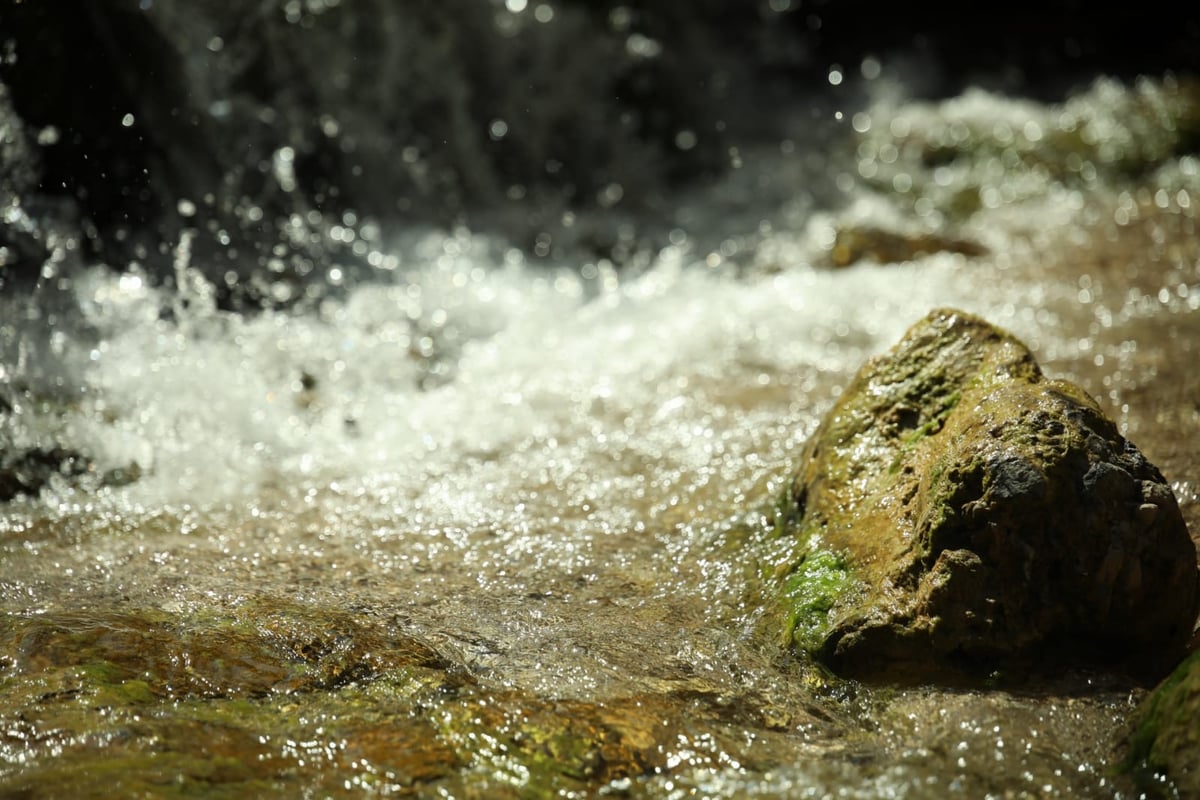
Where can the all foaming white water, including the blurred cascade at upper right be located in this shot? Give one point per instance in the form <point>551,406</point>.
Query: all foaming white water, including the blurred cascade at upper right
<point>464,354</point>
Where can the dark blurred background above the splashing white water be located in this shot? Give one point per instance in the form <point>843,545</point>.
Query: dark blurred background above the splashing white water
<point>388,106</point>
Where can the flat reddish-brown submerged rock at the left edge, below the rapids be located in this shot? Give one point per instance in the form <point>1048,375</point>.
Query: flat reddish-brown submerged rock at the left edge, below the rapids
<point>267,647</point>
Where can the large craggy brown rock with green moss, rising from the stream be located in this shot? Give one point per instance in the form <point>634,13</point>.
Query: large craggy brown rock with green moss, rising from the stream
<point>985,519</point>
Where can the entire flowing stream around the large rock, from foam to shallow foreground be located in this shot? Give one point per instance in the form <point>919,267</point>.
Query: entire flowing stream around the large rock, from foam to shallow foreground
<point>470,526</point>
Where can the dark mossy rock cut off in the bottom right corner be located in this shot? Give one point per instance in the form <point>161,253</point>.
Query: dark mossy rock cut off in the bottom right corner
<point>1163,733</point>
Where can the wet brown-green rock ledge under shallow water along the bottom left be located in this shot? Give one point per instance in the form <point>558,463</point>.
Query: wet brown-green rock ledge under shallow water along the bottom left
<point>274,699</point>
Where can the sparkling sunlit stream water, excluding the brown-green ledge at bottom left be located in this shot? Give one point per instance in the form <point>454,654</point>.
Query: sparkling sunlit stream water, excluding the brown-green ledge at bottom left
<point>535,466</point>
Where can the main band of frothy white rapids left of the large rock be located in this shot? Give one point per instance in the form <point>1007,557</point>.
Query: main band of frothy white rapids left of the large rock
<point>683,370</point>
